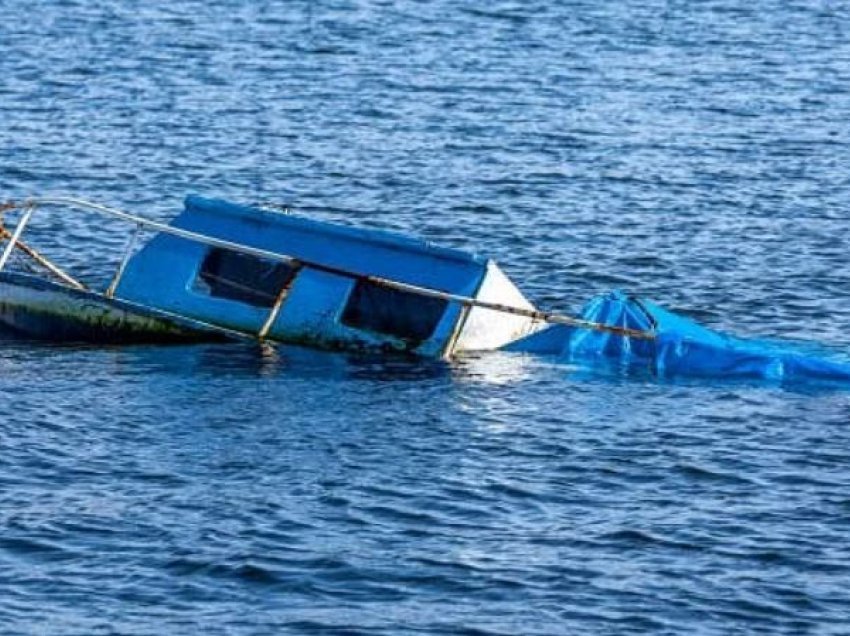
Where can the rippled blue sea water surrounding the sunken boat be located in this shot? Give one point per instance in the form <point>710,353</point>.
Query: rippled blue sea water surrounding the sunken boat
<point>692,152</point>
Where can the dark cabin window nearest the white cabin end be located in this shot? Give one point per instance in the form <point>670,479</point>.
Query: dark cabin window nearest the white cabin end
<point>393,312</point>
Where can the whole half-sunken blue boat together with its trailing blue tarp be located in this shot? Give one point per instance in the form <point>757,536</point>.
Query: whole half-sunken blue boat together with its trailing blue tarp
<point>221,270</point>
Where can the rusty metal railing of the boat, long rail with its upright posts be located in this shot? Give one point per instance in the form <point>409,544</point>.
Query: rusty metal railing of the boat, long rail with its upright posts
<point>29,207</point>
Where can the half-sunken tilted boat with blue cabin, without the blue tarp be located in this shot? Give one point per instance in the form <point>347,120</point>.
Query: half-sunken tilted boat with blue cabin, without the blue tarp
<point>244,271</point>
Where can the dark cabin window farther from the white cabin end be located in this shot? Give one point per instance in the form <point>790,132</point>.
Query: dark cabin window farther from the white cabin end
<point>244,278</point>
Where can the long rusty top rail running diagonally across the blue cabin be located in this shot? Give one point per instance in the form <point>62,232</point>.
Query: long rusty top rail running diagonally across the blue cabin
<point>544,316</point>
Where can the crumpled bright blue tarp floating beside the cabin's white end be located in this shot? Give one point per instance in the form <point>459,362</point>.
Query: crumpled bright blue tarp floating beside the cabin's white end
<point>681,347</point>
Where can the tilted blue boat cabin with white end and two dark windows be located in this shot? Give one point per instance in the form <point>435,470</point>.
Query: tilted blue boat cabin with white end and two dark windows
<point>327,291</point>
